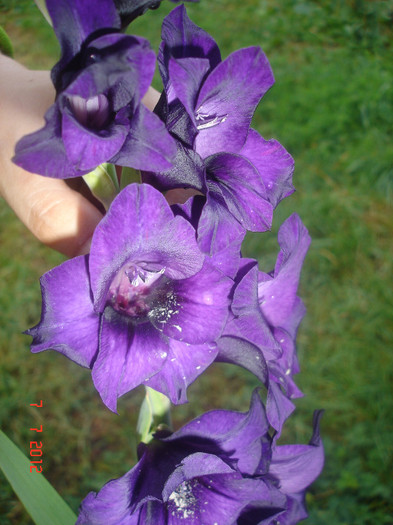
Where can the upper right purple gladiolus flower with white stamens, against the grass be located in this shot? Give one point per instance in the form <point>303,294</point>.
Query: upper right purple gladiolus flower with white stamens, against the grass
<point>208,107</point>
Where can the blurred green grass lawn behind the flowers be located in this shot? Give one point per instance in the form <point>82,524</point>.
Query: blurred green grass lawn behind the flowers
<point>332,107</point>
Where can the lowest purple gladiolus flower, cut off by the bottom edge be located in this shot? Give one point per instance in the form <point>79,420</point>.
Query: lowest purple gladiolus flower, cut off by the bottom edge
<point>218,469</point>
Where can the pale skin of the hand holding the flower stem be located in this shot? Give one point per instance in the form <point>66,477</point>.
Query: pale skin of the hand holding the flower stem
<point>59,216</point>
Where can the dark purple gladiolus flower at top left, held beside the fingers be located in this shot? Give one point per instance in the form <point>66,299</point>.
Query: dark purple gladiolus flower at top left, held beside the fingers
<point>97,117</point>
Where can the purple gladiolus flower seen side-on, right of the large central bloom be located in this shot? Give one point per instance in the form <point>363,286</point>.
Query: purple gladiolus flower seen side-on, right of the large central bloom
<point>266,312</point>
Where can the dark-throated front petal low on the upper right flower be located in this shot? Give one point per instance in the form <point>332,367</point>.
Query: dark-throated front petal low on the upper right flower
<point>242,189</point>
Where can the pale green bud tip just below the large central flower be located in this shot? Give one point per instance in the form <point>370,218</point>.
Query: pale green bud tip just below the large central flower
<point>154,413</point>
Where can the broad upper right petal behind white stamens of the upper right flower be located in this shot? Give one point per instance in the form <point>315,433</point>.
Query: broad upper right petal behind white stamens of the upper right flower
<point>228,99</point>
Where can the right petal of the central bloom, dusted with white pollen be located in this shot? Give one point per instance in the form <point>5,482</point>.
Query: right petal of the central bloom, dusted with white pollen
<point>204,300</point>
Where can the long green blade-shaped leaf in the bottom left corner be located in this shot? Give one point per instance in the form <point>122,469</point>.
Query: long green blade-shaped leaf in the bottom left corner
<point>40,499</point>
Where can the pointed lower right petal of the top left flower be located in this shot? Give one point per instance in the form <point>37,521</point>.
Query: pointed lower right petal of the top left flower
<point>148,145</point>
